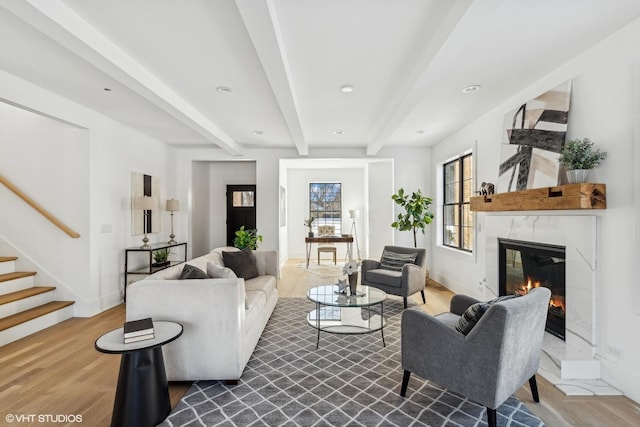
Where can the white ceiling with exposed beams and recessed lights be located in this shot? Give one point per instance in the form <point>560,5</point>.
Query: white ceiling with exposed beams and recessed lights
<point>285,61</point>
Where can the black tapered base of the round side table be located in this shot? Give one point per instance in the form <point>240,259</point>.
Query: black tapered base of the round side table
<point>142,396</point>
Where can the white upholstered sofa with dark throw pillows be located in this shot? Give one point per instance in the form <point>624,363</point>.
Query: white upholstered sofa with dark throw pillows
<point>221,328</point>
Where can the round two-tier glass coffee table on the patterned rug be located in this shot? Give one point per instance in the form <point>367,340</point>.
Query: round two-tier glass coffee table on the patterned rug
<point>338,313</point>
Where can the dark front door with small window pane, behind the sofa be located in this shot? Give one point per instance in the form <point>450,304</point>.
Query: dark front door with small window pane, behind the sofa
<point>241,209</point>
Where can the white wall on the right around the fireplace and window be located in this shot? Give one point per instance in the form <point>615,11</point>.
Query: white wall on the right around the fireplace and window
<point>601,109</point>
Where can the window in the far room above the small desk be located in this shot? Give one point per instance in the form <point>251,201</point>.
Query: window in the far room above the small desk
<point>325,204</point>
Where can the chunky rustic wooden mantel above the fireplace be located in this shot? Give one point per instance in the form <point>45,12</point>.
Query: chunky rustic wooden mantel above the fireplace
<point>570,196</point>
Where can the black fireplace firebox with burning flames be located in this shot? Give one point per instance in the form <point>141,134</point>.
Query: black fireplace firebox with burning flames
<point>525,265</point>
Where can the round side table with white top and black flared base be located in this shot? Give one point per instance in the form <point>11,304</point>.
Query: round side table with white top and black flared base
<point>142,396</point>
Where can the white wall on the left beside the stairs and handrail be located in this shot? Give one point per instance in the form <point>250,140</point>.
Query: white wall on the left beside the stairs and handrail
<point>88,184</point>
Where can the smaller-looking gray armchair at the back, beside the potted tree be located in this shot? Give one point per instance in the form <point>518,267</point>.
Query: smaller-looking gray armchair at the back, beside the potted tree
<point>402,283</point>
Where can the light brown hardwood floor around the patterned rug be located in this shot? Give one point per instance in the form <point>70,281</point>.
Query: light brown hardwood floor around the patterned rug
<point>58,371</point>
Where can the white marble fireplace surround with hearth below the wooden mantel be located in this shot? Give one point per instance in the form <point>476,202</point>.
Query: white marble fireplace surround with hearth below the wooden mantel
<point>572,364</point>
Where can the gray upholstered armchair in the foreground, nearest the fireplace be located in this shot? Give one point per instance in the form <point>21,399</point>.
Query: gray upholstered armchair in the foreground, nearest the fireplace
<point>488,365</point>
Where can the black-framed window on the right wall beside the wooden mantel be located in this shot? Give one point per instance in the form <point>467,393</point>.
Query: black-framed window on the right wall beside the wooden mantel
<point>457,217</point>
